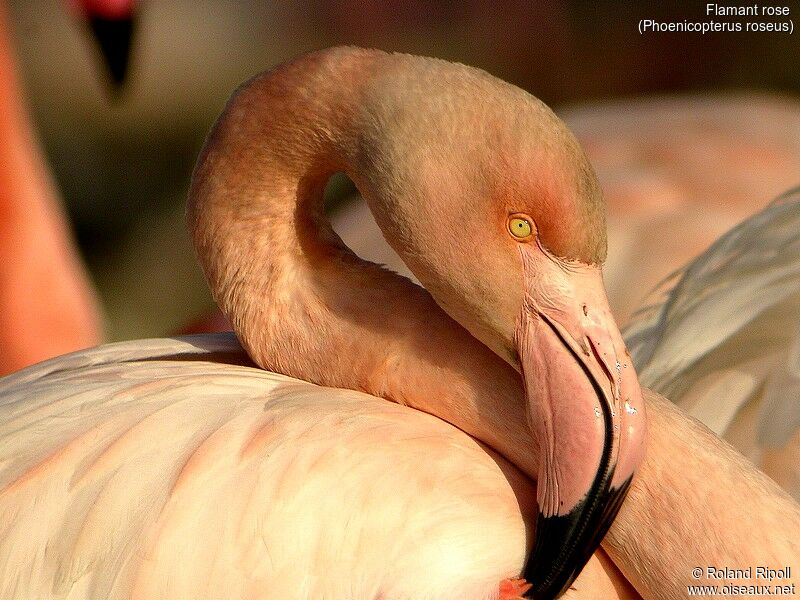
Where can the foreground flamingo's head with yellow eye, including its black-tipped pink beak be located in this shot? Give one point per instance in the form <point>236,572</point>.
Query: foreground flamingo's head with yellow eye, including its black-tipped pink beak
<point>497,211</point>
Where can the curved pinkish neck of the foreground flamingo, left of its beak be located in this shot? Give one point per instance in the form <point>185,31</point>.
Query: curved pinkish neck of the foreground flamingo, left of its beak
<point>301,302</point>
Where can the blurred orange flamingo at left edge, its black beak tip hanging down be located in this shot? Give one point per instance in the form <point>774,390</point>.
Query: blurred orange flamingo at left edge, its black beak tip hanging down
<point>47,303</point>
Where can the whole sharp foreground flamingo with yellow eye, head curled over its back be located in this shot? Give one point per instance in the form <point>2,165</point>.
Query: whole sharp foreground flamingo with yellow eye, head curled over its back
<point>185,425</point>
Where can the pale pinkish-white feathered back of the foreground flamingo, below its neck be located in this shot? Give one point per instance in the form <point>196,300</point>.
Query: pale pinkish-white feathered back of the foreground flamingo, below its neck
<point>163,469</point>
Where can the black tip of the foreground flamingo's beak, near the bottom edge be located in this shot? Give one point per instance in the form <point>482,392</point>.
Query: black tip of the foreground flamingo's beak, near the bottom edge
<point>565,543</point>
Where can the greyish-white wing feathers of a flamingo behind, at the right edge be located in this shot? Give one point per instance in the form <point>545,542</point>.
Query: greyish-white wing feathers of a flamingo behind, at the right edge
<point>724,342</point>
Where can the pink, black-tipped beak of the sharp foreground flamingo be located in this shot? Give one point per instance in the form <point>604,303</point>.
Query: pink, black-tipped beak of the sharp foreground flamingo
<point>586,410</point>
